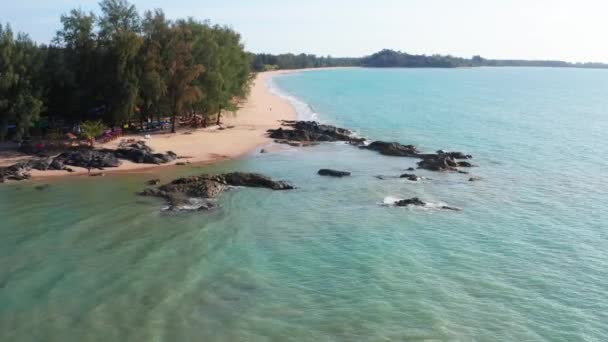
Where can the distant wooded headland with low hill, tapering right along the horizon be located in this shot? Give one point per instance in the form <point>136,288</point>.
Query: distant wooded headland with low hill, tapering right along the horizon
<point>397,59</point>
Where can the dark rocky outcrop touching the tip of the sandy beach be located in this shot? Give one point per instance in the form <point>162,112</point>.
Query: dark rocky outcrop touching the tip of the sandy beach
<point>311,131</point>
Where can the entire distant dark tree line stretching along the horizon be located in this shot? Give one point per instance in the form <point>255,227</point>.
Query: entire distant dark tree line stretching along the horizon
<point>397,59</point>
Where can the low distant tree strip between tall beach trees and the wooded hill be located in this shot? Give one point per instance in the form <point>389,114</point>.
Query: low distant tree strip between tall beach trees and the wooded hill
<point>265,62</point>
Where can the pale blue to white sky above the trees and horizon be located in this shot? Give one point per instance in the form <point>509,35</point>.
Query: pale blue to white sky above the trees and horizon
<point>574,31</point>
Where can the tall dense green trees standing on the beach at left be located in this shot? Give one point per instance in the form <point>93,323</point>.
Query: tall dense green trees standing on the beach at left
<point>119,66</point>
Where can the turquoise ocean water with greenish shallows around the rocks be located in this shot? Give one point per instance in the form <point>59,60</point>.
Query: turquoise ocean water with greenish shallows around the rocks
<point>526,259</point>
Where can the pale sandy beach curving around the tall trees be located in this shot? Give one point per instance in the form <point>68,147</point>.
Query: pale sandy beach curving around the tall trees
<point>263,110</point>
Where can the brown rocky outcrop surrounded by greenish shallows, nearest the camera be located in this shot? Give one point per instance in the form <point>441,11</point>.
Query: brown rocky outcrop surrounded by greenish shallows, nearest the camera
<point>183,192</point>
